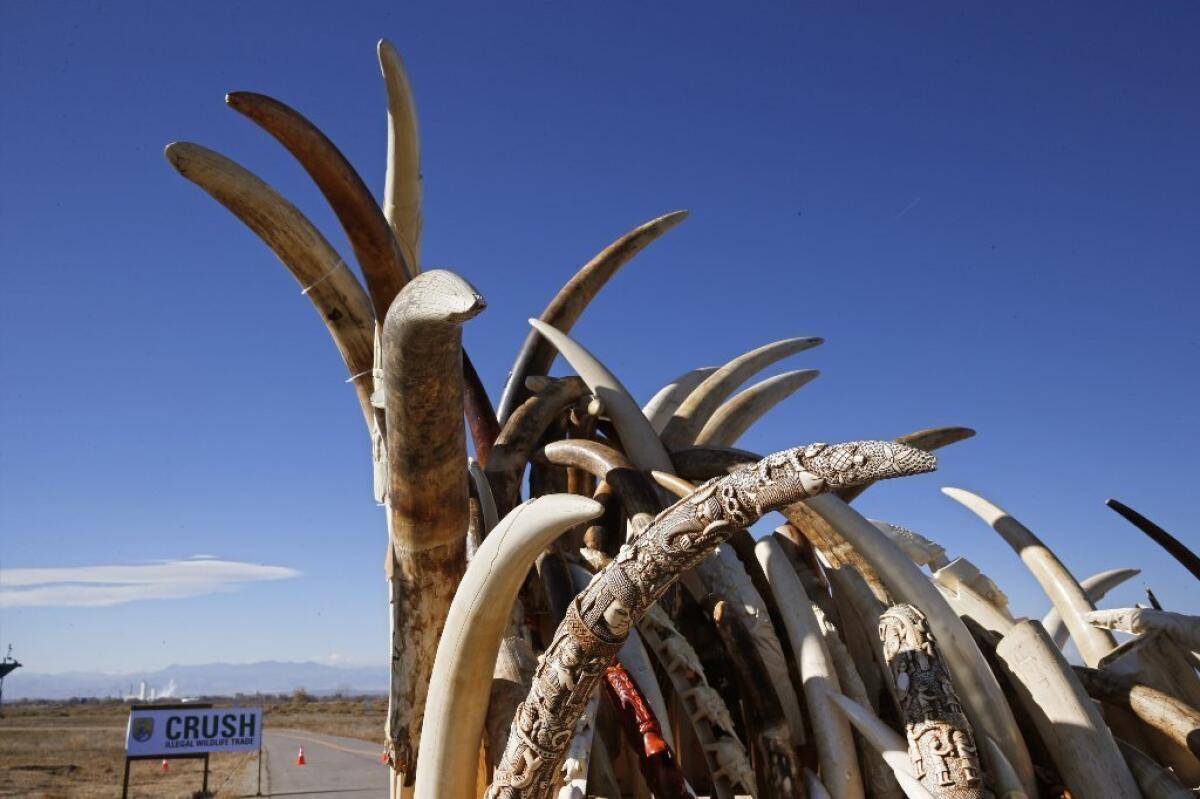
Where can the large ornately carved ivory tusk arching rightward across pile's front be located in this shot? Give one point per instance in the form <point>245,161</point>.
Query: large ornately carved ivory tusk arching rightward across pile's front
<point>619,597</point>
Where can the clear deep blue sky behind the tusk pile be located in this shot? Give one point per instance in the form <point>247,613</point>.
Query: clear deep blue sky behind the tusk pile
<point>989,213</point>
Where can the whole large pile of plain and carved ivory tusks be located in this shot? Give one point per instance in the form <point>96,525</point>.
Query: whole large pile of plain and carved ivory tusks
<point>620,633</point>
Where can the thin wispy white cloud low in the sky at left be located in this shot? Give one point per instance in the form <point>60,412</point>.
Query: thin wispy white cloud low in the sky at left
<point>104,586</point>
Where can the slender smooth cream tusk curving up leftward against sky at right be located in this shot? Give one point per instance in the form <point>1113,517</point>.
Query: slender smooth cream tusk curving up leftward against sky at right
<point>1051,573</point>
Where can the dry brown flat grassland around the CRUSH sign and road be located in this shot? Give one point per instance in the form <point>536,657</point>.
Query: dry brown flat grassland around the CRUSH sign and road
<point>77,749</point>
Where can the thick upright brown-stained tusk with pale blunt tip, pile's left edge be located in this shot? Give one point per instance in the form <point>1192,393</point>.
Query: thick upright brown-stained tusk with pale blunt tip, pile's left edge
<point>428,496</point>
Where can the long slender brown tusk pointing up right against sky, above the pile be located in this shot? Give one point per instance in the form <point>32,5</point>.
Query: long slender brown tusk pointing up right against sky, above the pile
<point>537,353</point>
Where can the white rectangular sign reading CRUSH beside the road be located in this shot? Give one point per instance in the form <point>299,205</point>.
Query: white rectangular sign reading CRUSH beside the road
<point>194,731</point>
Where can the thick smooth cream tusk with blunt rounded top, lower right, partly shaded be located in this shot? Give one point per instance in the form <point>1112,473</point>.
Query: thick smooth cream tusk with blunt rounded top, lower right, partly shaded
<point>1067,720</point>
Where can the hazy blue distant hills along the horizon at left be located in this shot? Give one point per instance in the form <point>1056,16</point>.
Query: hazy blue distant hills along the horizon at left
<point>207,680</point>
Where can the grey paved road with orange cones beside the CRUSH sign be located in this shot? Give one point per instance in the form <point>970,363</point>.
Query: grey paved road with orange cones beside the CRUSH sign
<point>340,768</point>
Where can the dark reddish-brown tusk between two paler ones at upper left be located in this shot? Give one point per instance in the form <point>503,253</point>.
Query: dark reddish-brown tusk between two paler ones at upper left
<point>375,245</point>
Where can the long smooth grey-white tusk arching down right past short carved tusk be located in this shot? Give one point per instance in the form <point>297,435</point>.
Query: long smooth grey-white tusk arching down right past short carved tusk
<point>983,699</point>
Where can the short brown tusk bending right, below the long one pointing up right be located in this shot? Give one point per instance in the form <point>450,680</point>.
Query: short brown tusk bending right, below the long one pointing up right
<point>521,435</point>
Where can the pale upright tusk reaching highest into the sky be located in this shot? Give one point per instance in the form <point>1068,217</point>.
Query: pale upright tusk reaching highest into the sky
<point>403,185</point>
